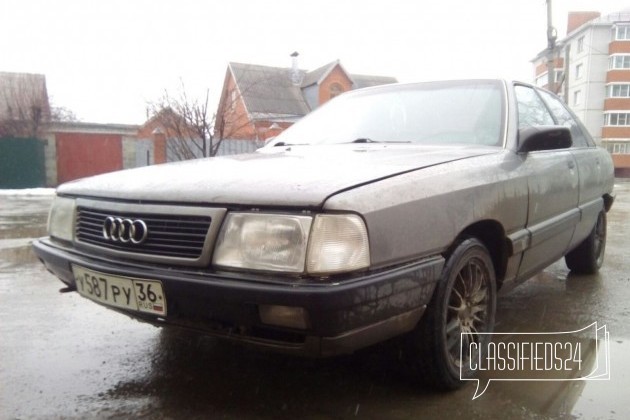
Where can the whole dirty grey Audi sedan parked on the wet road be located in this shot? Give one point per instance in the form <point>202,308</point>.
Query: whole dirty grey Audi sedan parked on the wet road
<point>390,211</point>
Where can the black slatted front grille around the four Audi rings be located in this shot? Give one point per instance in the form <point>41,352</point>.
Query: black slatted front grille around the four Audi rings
<point>169,235</point>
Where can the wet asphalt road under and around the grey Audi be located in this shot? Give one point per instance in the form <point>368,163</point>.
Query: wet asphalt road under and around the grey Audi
<point>62,356</point>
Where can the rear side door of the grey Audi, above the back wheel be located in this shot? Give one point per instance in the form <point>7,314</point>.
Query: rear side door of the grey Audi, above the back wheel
<point>590,163</point>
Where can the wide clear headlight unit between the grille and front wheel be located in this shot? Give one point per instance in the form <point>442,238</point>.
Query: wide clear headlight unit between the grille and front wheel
<point>322,245</point>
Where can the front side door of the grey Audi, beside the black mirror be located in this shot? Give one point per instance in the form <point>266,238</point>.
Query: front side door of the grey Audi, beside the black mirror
<point>553,186</point>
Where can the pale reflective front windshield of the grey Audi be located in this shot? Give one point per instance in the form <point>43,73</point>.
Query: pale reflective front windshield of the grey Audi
<point>431,113</point>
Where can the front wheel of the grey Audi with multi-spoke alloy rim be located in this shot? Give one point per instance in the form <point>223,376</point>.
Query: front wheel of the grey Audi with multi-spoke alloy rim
<point>433,348</point>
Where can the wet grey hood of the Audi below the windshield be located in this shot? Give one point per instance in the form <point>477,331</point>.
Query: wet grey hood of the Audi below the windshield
<point>301,176</point>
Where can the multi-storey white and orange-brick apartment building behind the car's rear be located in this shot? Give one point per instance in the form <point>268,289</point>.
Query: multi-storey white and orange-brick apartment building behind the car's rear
<point>592,74</point>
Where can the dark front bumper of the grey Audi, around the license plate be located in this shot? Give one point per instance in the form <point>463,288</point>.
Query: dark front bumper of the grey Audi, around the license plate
<point>343,316</point>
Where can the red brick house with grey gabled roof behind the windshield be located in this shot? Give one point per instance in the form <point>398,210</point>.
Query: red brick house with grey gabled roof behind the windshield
<point>258,102</point>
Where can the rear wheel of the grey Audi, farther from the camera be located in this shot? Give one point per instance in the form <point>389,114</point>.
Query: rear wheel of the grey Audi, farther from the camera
<point>588,257</point>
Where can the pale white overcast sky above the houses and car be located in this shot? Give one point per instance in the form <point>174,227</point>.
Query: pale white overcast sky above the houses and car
<point>104,59</point>
